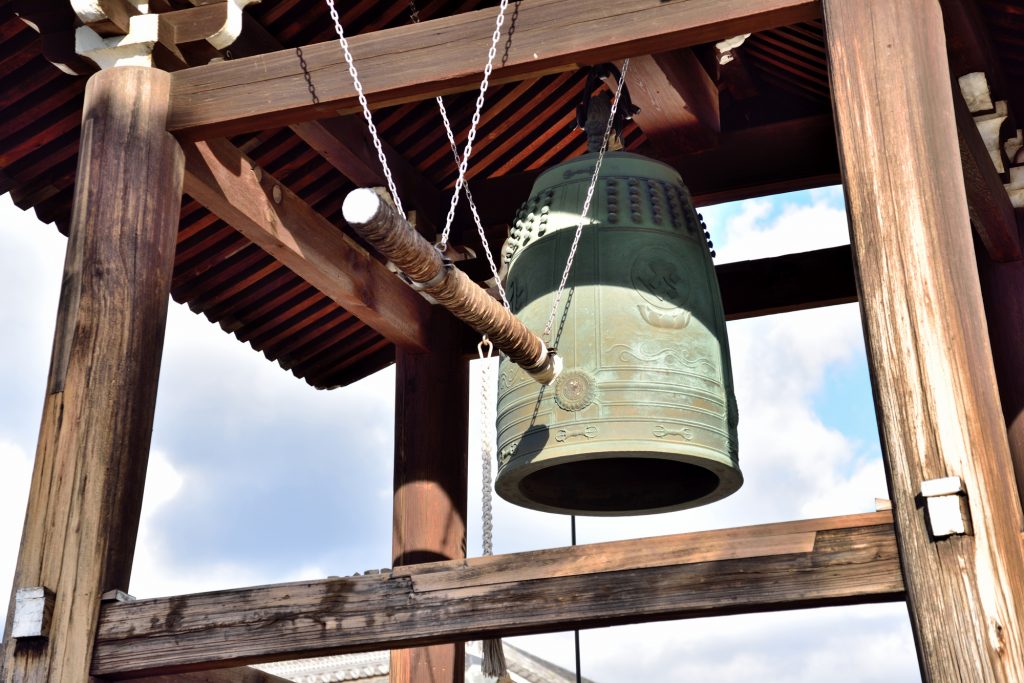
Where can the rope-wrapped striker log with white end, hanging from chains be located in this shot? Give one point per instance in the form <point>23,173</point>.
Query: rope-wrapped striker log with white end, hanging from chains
<point>382,226</point>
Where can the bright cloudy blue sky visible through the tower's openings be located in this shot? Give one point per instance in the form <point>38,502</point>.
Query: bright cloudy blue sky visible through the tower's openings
<point>255,478</point>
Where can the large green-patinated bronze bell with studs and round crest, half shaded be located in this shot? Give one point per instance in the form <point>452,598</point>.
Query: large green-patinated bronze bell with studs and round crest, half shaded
<point>644,418</point>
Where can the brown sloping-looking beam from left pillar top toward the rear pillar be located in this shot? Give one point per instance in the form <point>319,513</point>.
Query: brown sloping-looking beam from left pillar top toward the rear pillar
<point>235,189</point>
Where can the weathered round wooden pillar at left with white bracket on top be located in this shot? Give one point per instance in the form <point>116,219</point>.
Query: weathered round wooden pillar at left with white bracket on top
<point>90,474</point>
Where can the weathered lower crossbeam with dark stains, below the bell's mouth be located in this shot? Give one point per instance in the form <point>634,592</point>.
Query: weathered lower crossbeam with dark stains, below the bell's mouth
<point>806,564</point>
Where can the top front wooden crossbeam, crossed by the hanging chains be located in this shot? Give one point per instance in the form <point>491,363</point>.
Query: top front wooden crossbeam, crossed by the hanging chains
<point>446,56</point>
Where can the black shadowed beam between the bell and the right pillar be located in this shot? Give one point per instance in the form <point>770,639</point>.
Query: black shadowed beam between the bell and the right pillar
<point>794,282</point>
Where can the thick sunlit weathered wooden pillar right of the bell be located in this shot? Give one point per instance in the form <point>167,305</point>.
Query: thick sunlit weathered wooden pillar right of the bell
<point>932,365</point>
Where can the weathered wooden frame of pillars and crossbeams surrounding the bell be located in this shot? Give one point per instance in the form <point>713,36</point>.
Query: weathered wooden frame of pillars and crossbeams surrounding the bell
<point>945,348</point>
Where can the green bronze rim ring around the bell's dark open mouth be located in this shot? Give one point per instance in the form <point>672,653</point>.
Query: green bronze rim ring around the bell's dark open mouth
<point>731,479</point>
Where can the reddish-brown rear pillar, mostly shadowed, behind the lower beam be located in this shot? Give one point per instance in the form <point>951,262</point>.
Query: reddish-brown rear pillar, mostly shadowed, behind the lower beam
<point>431,441</point>
